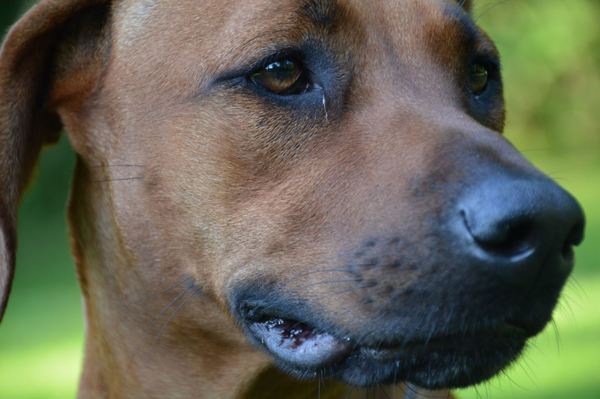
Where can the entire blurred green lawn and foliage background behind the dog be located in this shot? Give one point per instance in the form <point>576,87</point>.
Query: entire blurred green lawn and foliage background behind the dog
<point>551,57</point>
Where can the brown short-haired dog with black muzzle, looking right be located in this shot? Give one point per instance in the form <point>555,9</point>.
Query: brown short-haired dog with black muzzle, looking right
<point>284,199</point>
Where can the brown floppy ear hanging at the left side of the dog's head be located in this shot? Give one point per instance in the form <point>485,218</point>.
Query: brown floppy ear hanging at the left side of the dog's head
<point>51,58</point>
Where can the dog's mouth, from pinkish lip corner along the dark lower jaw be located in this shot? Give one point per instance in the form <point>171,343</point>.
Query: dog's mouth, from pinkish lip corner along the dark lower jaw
<point>439,361</point>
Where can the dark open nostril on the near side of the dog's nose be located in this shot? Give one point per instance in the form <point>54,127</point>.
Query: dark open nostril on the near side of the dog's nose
<point>507,238</point>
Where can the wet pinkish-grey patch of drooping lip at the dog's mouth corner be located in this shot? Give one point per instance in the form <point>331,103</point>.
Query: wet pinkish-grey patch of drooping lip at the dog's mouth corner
<point>299,344</point>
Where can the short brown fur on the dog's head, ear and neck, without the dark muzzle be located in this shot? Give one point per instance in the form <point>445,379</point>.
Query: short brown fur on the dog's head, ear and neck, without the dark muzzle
<point>186,188</point>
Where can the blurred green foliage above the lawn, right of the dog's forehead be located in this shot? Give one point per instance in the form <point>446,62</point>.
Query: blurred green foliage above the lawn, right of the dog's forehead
<point>551,59</point>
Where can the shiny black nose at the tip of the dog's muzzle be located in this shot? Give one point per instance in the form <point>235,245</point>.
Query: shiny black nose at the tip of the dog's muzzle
<point>519,225</point>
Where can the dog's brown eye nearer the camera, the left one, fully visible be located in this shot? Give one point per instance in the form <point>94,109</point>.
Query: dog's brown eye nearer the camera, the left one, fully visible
<point>283,77</point>
